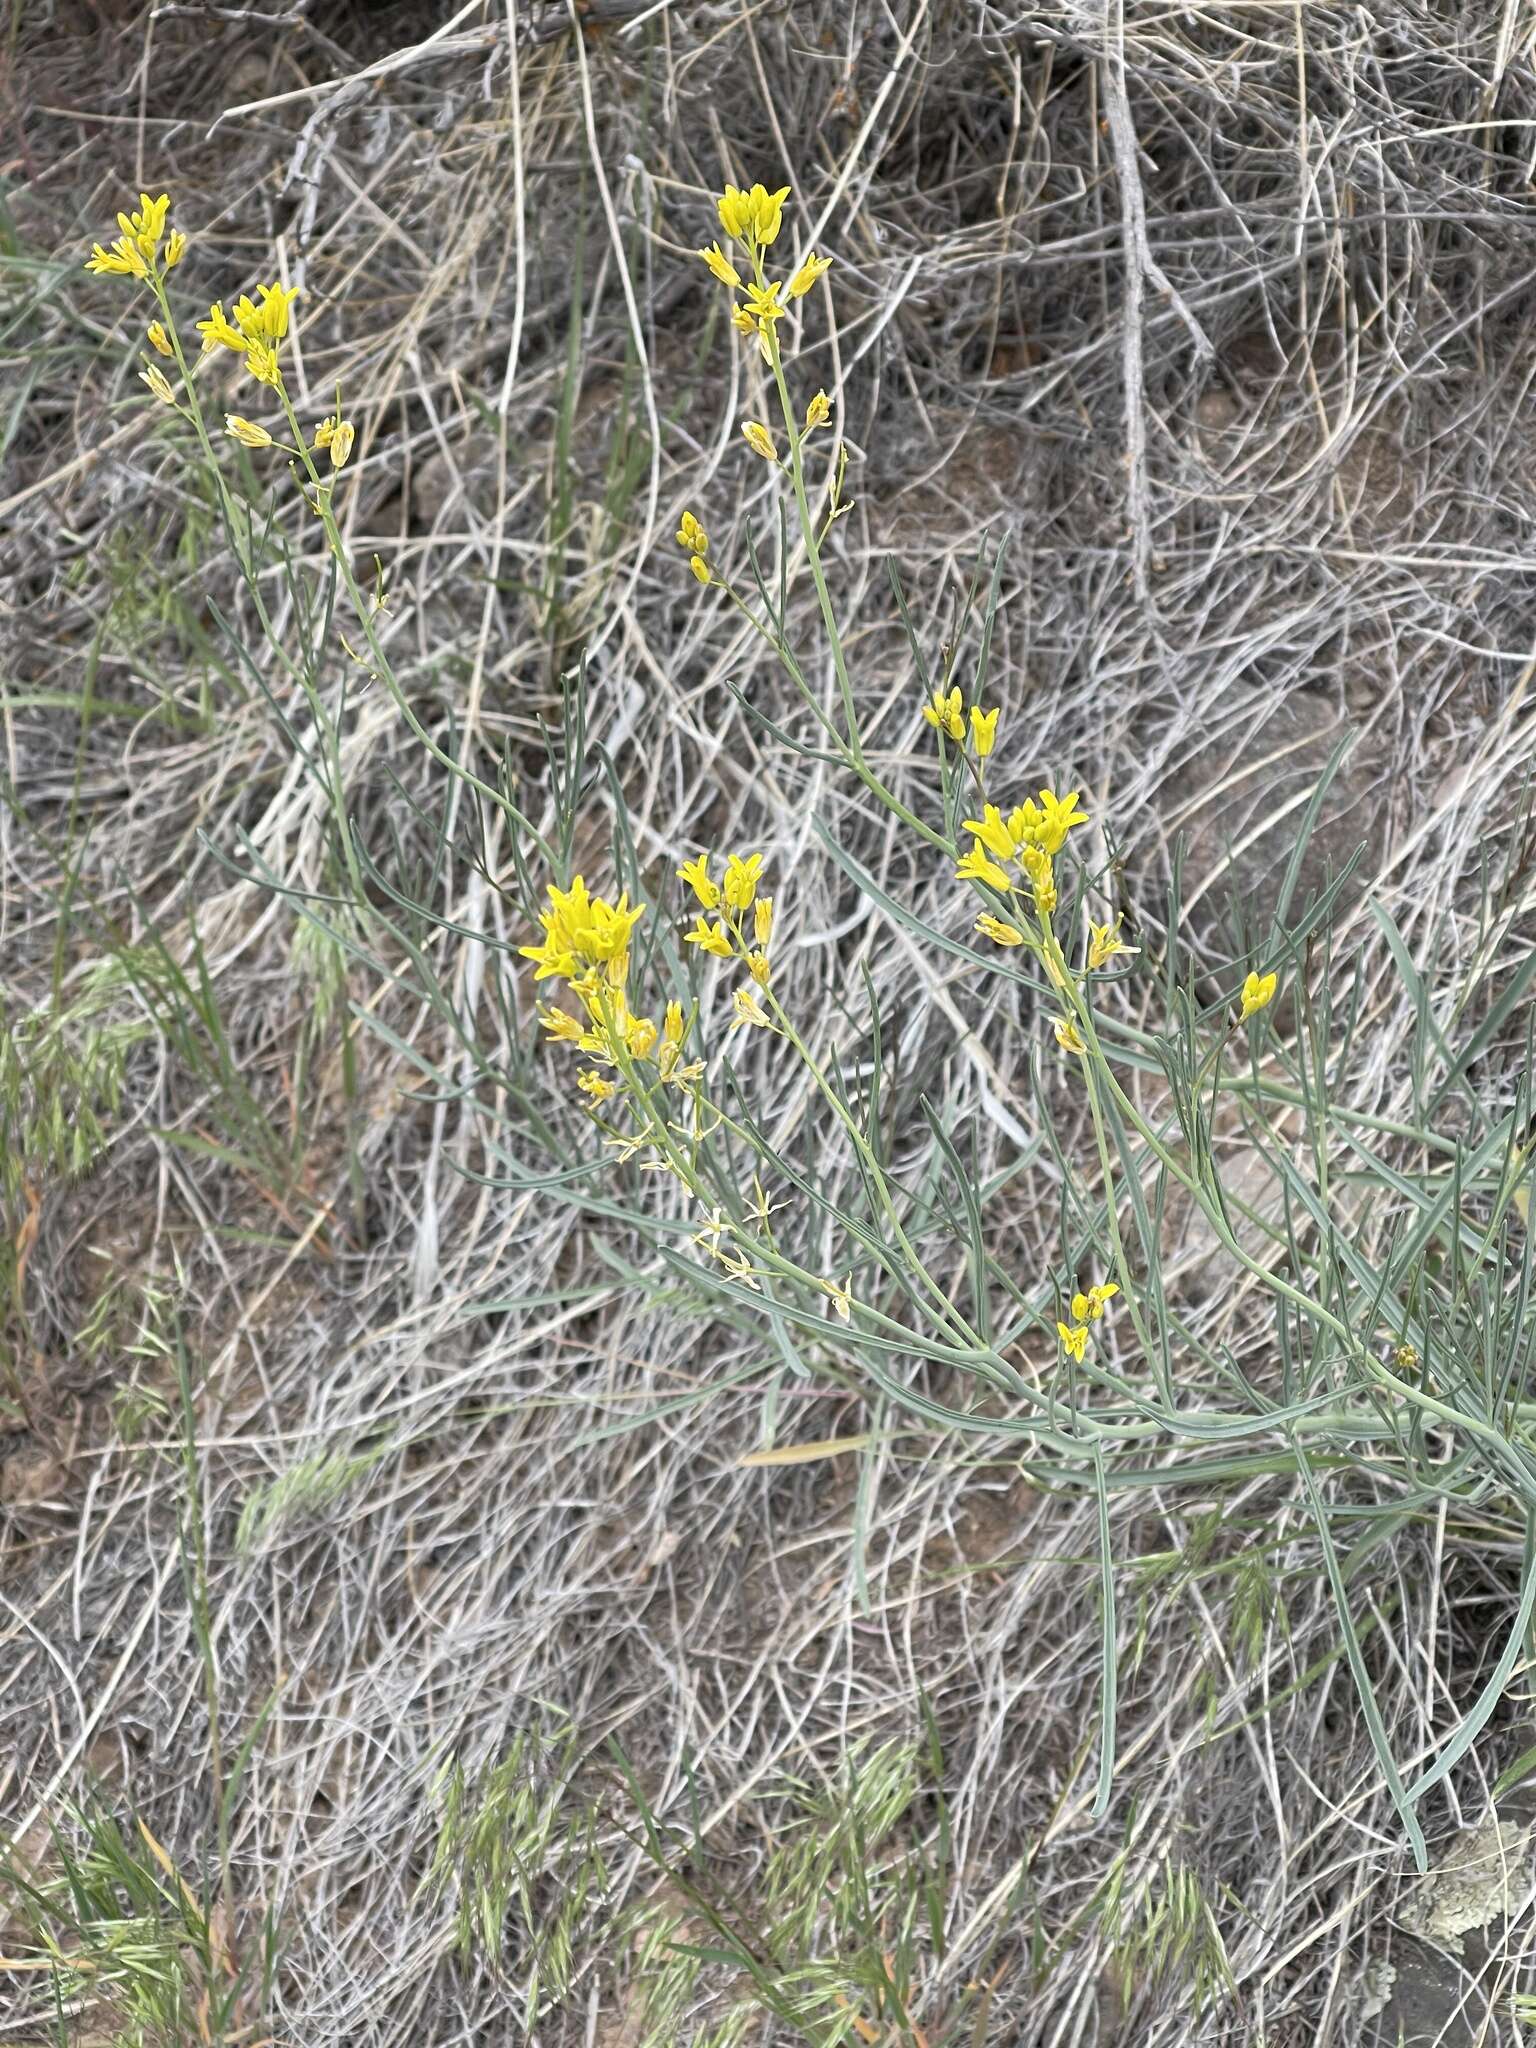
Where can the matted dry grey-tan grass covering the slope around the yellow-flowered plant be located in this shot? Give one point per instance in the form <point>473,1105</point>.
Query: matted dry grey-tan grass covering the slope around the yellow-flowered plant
<point>335,1453</point>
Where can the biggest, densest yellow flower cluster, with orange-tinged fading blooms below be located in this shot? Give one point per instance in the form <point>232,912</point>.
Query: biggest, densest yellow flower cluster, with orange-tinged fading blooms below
<point>587,945</point>
